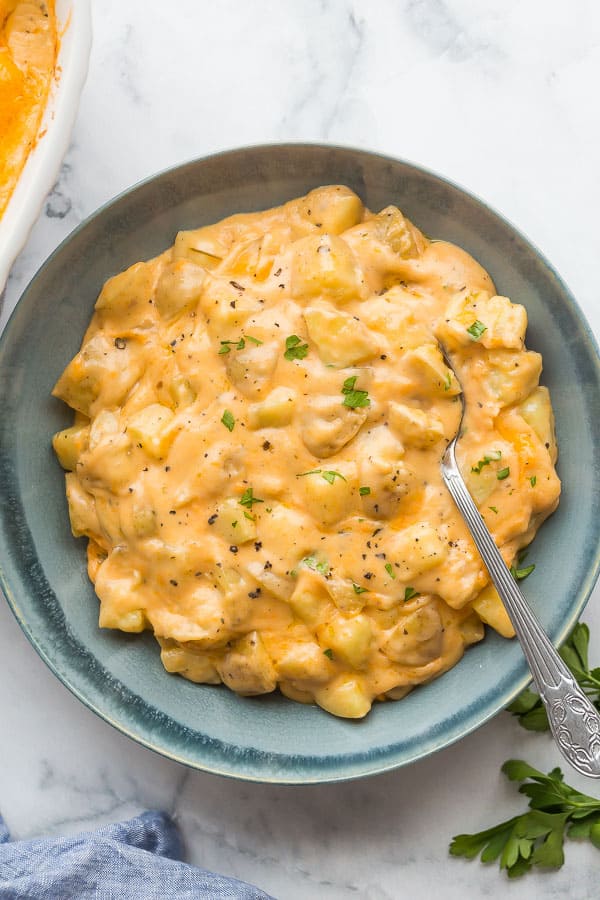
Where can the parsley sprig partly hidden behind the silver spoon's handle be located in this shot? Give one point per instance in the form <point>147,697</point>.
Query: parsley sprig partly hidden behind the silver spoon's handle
<point>528,706</point>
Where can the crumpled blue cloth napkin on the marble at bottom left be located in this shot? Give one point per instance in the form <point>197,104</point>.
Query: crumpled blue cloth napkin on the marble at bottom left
<point>138,859</point>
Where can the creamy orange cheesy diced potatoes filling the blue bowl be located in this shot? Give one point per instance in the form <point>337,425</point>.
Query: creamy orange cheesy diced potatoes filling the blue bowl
<point>261,414</point>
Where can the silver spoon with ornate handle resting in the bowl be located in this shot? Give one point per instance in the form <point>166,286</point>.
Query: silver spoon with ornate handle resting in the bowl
<point>574,720</point>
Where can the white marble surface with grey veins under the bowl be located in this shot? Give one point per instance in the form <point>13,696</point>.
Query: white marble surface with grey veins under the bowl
<point>499,95</point>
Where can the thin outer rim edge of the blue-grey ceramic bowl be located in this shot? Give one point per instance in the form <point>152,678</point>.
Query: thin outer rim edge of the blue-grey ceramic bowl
<point>390,762</point>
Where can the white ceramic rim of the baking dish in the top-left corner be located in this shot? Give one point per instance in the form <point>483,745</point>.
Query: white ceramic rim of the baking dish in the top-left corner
<point>43,163</point>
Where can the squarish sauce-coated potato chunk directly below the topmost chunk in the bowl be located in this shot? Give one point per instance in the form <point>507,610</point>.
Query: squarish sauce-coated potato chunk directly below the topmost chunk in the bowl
<point>324,266</point>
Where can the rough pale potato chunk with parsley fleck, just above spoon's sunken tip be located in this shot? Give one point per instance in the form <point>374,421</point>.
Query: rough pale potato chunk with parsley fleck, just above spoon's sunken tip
<point>493,322</point>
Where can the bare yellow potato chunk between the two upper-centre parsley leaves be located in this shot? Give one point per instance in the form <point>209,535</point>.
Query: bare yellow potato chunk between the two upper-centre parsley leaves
<point>341,339</point>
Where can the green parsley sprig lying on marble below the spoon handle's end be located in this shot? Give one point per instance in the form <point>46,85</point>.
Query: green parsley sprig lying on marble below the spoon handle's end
<point>536,837</point>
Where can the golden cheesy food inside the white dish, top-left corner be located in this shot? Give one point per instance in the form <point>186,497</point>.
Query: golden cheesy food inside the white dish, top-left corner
<point>28,46</point>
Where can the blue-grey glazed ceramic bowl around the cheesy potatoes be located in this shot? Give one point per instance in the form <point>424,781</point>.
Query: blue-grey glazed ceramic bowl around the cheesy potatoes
<point>42,568</point>
